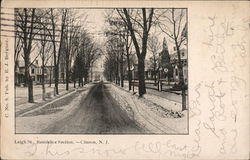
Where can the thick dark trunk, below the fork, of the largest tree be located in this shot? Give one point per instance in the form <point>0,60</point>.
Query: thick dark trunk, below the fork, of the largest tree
<point>141,74</point>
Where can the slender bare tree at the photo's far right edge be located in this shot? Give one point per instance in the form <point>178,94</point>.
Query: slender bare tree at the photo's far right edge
<point>173,24</point>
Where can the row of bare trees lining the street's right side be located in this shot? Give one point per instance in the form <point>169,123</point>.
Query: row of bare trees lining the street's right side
<point>133,32</point>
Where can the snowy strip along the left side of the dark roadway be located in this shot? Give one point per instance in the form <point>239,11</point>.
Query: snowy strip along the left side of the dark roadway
<point>31,122</point>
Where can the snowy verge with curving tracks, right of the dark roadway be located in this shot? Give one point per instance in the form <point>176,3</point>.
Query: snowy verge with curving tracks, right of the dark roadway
<point>150,111</point>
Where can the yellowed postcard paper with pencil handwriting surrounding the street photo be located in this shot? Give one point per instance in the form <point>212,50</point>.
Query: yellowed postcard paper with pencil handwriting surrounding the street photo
<point>218,92</point>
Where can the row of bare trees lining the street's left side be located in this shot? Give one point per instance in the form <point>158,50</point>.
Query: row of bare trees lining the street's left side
<point>58,37</point>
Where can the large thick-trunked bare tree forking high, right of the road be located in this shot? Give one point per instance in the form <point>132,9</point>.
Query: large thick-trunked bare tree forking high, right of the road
<point>139,24</point>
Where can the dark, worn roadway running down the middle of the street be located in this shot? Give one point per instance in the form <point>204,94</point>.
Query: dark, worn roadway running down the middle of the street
<point>98,113</point>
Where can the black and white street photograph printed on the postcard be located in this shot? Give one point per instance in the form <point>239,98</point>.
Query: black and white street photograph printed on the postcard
<point>101,70</point>
